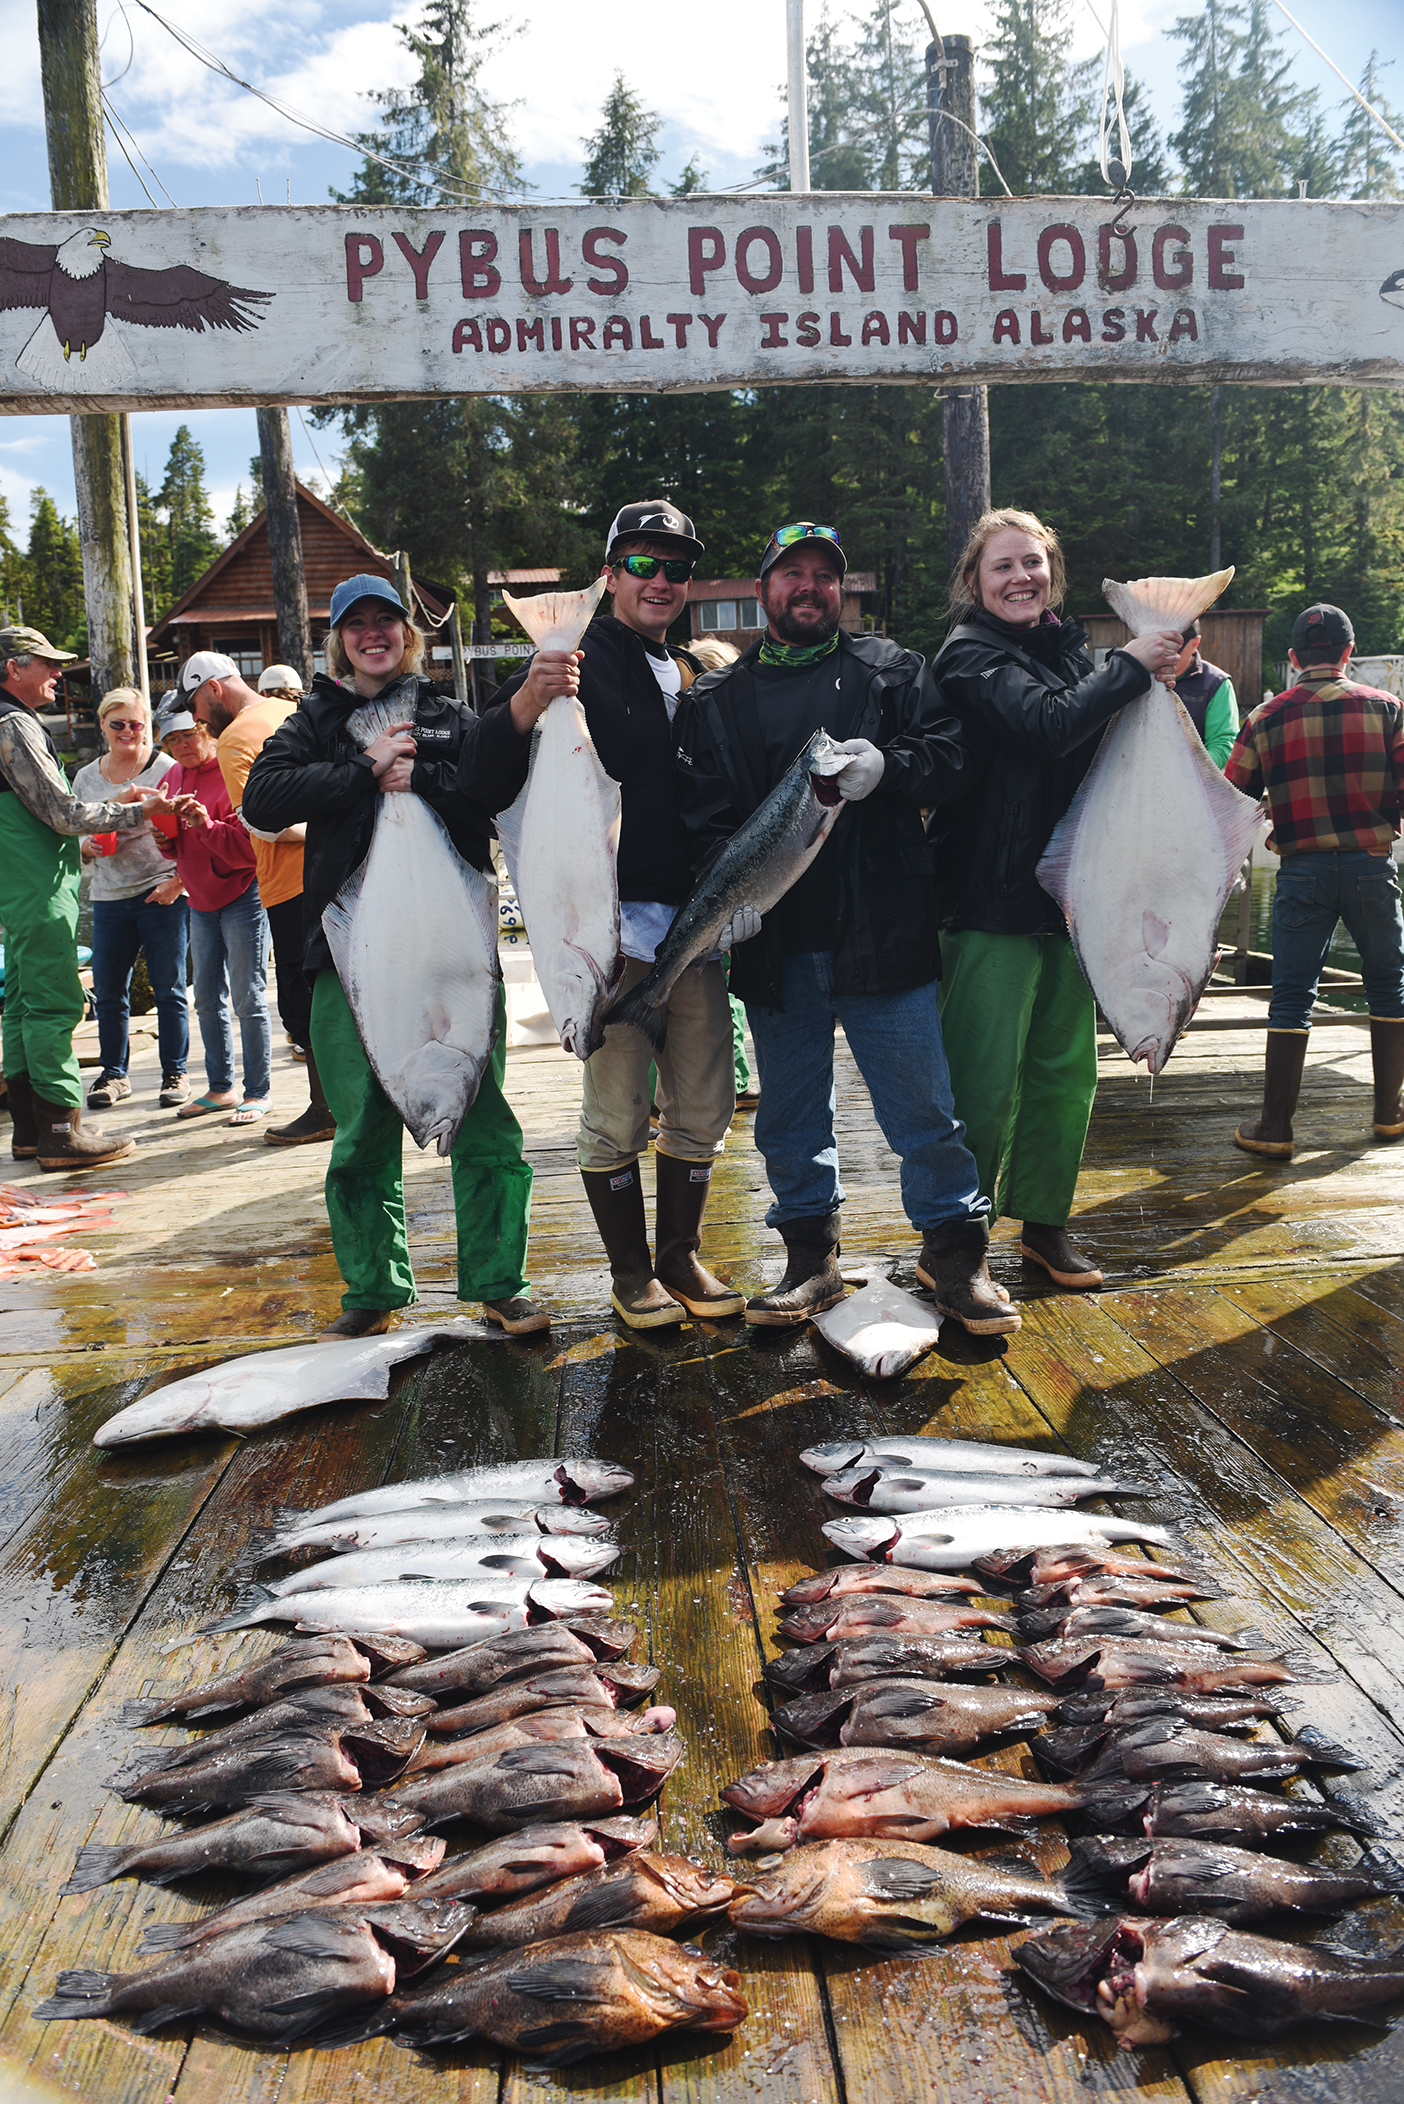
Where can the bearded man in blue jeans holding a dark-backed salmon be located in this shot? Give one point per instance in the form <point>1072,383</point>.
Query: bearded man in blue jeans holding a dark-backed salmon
<point>856,942</point>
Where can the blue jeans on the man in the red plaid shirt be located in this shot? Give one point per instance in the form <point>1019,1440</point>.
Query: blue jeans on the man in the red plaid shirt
<point>1315,893</point>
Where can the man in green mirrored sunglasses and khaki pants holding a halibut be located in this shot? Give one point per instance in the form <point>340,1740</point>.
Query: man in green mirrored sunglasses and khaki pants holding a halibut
<point>630,685</point>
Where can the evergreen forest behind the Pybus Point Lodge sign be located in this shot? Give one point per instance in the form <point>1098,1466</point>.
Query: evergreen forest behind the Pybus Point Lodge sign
<point>1312,481</point>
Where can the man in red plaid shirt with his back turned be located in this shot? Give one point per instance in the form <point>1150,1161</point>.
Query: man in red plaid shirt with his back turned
<point>1329,758</point>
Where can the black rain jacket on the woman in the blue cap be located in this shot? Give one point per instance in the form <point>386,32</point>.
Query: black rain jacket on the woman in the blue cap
<point>315,771</point>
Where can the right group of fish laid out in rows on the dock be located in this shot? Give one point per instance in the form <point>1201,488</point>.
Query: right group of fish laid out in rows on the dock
<point>1146,1728</point>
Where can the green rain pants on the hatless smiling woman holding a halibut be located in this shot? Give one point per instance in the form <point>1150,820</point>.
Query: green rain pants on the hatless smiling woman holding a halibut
<point>1020,1032</point>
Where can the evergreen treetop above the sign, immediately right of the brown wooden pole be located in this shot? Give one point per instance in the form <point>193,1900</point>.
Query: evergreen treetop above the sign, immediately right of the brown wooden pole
<point>1037,104</point>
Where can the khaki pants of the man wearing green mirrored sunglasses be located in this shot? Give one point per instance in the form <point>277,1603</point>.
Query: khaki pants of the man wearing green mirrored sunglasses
<point>698,1089</point>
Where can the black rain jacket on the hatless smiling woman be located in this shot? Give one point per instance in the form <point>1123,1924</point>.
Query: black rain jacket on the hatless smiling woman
<point>1030,712</point>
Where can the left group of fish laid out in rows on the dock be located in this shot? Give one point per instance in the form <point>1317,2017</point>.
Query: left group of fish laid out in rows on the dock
<point>336,1756</point>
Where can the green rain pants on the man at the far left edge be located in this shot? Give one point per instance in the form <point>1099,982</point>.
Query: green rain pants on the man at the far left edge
<point>43,998</point>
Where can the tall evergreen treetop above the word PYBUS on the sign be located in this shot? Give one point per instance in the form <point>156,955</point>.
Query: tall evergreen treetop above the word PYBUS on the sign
<point>447,140</point>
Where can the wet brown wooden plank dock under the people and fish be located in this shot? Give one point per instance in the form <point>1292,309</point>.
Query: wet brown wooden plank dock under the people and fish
<point>1245,1360</point>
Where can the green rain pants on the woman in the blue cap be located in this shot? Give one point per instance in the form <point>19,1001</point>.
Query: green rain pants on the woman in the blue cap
<point>365,1179</point>
